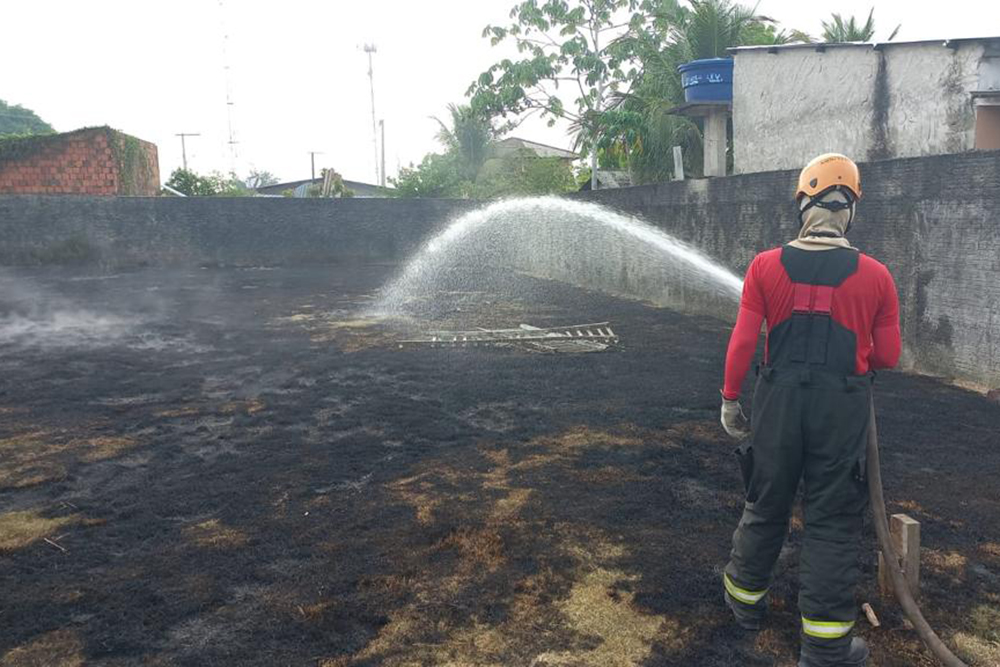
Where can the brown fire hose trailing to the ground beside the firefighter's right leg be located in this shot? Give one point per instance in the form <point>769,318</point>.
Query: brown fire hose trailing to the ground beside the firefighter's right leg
<point>899,585</point>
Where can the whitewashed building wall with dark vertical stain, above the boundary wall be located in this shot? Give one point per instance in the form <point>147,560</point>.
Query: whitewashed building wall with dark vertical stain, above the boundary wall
<point>900,100</point>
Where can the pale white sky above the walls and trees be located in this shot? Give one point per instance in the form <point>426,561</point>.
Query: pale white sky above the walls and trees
<point>298,76</point>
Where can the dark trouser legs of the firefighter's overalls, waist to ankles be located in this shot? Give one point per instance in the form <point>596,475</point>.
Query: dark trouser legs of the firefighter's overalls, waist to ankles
<point>810,426</point>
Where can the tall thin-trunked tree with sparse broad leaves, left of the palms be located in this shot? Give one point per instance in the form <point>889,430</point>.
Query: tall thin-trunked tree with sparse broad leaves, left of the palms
<point>574,44</point>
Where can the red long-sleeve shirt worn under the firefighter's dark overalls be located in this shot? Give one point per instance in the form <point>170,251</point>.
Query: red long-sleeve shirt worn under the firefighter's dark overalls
<point>865,303</point>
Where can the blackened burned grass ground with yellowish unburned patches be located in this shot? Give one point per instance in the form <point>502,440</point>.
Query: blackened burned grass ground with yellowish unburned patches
<point>240,468</point>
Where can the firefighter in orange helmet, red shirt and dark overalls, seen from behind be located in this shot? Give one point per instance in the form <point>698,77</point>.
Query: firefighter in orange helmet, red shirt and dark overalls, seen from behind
<point>832,317</point>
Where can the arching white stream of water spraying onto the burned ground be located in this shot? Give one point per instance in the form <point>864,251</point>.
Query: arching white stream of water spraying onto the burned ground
<point>582,243</point>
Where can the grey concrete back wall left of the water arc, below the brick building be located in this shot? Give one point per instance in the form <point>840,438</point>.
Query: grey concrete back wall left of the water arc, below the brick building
<point>129,232</point>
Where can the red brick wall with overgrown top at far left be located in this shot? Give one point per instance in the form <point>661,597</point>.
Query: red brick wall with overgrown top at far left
<point>92,161</point>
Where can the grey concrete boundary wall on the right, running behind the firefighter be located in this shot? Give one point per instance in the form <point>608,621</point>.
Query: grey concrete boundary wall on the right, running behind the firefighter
<point>935,222</point>
